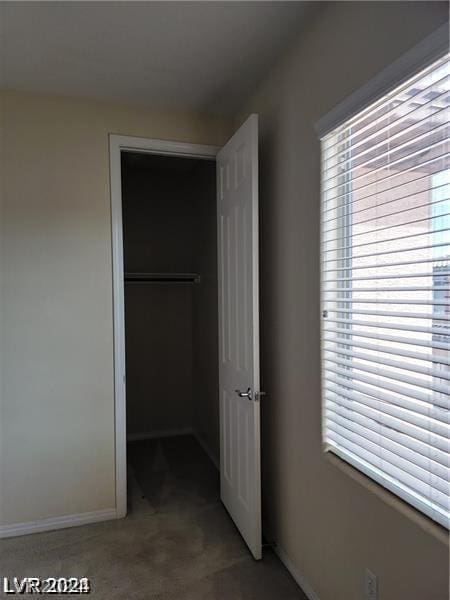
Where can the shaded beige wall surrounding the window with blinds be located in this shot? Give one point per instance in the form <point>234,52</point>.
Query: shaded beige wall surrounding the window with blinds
<point>330,526</point>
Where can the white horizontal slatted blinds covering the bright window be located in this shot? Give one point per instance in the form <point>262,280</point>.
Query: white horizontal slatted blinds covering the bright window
<point>385,293</point>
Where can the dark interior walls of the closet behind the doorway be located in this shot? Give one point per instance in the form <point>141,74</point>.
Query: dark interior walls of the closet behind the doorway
<point>169,224</point>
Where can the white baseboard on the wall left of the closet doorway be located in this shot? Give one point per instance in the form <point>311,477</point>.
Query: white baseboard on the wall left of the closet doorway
<point>50,524</point>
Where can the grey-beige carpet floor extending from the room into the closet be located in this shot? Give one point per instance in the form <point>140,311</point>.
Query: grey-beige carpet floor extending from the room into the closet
<point>177,542</point>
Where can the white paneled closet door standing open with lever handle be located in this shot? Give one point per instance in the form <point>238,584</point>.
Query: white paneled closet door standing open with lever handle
<point>237,213</point>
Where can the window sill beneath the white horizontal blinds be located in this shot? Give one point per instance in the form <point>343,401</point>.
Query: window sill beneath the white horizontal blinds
<point>424,522</point>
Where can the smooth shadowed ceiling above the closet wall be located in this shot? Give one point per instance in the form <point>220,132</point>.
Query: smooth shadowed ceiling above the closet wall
<point>191,56</point>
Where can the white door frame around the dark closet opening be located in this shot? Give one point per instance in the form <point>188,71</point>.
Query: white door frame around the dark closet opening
<point>118,144</point>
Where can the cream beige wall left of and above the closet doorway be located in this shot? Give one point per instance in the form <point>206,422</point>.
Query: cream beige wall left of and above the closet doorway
<point>57,403</point>
